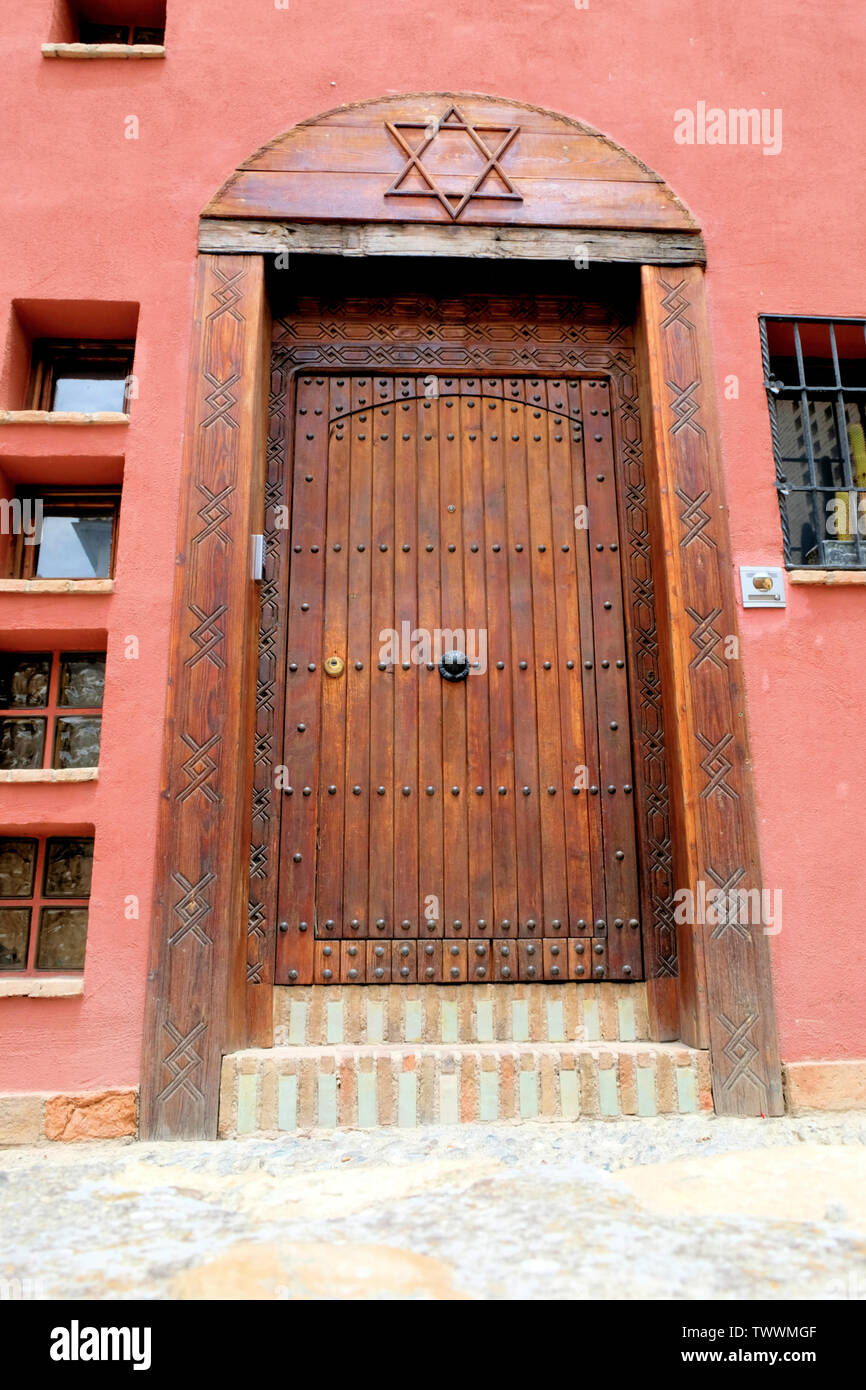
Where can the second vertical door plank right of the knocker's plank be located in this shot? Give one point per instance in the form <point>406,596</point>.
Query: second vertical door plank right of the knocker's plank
<point>500,665</point>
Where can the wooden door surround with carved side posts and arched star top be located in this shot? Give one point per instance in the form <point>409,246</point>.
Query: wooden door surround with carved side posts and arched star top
<point>437,176</point>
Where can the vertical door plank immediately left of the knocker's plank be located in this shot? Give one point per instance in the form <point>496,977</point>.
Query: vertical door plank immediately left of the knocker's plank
<point>432,836</point>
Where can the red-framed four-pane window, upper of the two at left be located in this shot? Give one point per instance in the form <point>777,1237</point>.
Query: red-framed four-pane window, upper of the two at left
<point>51,710</point>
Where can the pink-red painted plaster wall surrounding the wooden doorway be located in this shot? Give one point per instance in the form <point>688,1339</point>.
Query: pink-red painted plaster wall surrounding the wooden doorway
<point>88,215</point>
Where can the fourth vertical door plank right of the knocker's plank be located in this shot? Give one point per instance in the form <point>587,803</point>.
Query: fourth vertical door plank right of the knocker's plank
<point>555,903</point>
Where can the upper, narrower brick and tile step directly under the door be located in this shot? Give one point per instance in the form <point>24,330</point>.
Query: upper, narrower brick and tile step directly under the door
<point>522,1013</point>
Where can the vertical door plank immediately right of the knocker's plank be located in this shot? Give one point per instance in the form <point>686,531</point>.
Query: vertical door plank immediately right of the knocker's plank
<point>473,411</point>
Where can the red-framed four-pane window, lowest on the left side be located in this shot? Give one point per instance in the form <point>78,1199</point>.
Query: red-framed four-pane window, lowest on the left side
<point>45,890</point>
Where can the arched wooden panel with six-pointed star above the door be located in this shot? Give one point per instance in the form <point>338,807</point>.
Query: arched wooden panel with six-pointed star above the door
<point>452,161</point>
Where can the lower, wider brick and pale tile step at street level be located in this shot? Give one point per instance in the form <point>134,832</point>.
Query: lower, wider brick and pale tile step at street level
<point>287,1089</point>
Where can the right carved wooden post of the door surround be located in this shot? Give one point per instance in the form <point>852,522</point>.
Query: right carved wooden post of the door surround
<point>725,967</point>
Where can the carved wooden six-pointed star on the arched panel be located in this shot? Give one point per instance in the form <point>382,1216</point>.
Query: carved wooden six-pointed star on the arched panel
<point>454,202</point>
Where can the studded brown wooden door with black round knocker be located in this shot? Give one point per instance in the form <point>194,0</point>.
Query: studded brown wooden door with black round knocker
<point>457,829</point>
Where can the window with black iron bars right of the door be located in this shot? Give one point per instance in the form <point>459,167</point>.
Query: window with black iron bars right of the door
<point>815,376</point>
